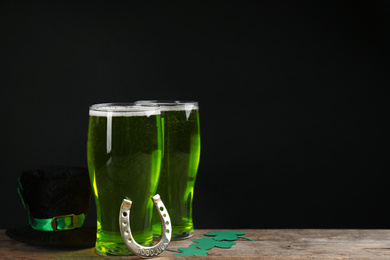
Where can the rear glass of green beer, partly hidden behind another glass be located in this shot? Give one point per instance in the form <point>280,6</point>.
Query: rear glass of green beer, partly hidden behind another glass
<point>181,153</point>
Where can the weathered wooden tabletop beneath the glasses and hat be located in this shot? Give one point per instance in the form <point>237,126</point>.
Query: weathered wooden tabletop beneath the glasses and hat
<point>268,244</point>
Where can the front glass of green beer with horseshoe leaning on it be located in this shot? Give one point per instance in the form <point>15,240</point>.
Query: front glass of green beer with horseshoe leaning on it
<point>124,151</point>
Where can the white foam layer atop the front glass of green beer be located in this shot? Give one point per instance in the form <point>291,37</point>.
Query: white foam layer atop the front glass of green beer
<point>105,111</point>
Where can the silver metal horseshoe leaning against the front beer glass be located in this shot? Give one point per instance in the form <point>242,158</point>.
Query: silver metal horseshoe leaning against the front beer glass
<point>131,244</point>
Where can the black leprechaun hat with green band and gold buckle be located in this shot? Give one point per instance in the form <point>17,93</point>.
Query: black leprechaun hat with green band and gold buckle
<point>57,200</point>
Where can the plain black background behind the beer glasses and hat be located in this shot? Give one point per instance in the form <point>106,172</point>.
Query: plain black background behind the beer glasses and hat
<point>293,98</point>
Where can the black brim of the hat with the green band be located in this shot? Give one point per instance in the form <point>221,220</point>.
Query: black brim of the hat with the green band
<point>84,237</point>
